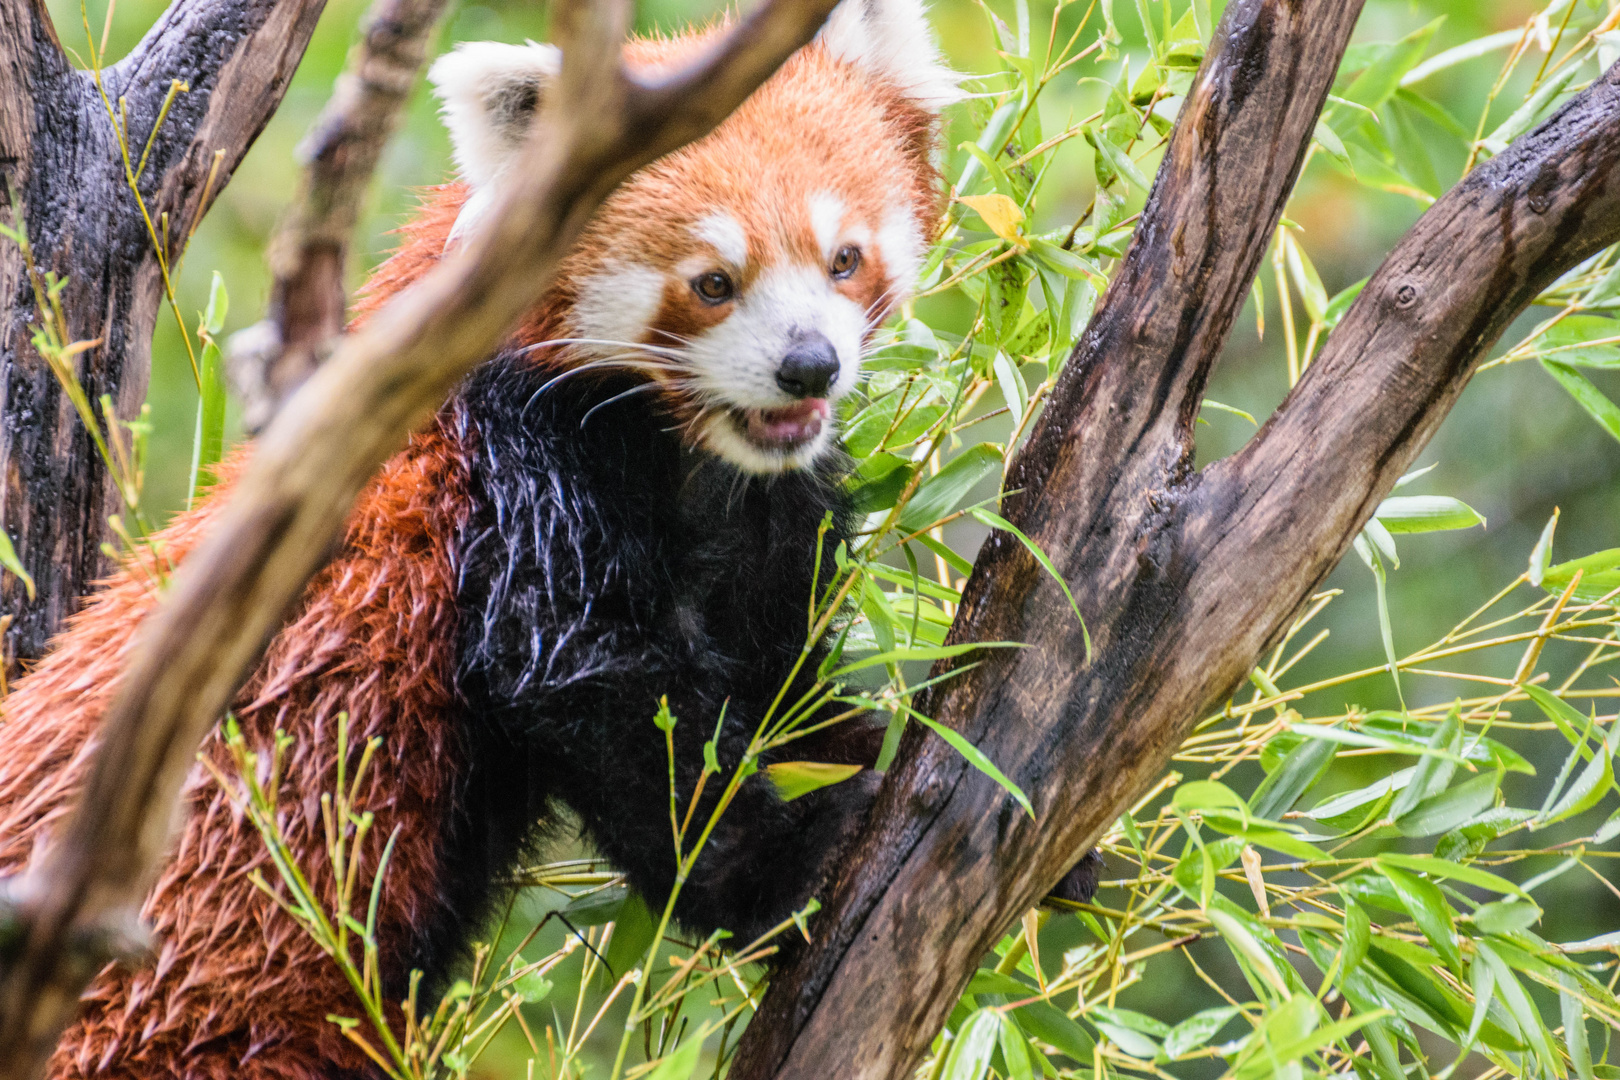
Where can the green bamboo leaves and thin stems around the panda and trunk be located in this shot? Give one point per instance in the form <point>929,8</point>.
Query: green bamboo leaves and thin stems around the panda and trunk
<point>1331,887</point>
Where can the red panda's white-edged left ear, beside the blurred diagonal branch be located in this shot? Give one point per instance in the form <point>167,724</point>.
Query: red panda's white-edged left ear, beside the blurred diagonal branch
<point>490,93</point>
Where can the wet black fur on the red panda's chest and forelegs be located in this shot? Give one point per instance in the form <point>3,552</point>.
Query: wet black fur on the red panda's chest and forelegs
<point>607,568</point>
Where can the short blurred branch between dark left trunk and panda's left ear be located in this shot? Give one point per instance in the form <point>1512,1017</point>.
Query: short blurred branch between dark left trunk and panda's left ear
<point>310,252</point>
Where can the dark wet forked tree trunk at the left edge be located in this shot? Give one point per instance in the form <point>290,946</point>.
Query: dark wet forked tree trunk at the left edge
<point>61,163</point>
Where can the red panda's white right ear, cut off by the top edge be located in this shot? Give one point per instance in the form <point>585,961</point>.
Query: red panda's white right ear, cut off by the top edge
<point>893,41</point>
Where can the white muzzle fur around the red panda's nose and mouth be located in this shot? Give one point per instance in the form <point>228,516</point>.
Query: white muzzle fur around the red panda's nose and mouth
<point>735,365</point>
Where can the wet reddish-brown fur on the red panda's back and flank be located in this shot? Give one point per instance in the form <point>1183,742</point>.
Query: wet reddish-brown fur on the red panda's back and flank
<point>237,989</point>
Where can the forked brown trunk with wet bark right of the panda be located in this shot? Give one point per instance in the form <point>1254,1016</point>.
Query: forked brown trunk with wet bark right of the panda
<point>1183,576</point>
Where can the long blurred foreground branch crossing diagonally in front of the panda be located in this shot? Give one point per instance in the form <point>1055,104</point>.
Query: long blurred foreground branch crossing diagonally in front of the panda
<point>292,503</point>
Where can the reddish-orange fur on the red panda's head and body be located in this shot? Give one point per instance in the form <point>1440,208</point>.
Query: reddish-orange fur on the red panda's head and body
<point>237,990</point>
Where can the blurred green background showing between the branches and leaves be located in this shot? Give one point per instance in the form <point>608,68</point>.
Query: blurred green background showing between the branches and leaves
<point>1516,448</point>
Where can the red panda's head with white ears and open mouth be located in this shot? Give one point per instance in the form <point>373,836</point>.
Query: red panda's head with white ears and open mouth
<point>746,273</point>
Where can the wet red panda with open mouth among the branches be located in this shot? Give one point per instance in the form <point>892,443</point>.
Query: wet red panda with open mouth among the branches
<point>621,506</point>
